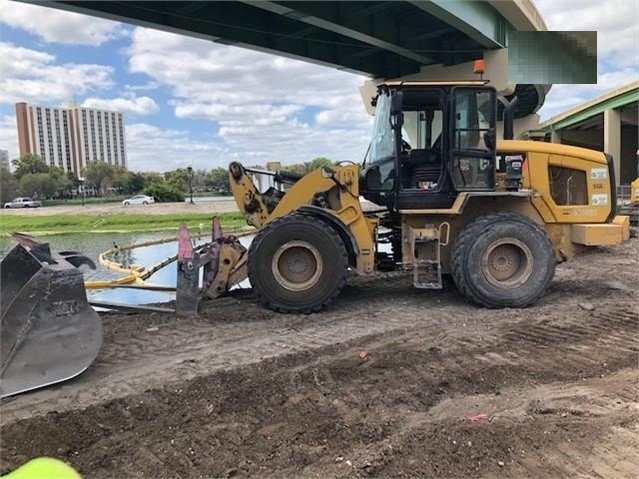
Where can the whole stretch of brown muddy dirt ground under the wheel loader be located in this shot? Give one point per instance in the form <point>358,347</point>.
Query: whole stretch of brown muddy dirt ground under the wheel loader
<point>388,382</point>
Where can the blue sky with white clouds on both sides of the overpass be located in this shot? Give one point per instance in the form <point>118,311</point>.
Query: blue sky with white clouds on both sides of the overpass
<point>193,102</point>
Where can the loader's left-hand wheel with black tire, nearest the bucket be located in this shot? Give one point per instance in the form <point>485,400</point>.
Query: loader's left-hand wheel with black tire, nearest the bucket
<point>297,264</point>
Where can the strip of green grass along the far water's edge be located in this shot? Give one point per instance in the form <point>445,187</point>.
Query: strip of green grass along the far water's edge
<point>115,223</point>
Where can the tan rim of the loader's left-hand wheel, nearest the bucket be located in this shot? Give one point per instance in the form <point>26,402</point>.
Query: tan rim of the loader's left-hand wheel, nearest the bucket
<point>297,265</point>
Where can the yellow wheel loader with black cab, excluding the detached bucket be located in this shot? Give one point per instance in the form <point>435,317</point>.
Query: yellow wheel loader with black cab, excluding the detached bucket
<point>495,215</point>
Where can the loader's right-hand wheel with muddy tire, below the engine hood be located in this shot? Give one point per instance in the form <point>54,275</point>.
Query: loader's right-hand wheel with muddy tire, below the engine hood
<point>503,260</point>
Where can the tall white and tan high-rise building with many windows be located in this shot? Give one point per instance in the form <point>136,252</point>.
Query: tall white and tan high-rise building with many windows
<point>71,137</point>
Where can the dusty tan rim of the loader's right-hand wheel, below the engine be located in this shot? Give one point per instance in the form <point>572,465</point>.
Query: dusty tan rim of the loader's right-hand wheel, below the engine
<point>507,263</point>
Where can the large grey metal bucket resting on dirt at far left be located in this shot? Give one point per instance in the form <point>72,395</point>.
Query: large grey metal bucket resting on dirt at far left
<point>48,331</point>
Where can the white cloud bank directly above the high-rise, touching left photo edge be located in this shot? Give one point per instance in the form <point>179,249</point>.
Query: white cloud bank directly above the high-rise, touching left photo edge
<point>34,76</point>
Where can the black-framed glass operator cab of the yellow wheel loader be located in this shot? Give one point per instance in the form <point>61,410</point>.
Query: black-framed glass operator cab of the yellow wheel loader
<point>430,142</point>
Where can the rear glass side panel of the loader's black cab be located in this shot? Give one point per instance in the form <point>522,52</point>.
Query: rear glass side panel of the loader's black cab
<point>472,138</point>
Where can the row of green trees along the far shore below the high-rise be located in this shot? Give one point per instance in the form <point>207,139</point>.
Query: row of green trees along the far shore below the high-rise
<point>32,177</point>
